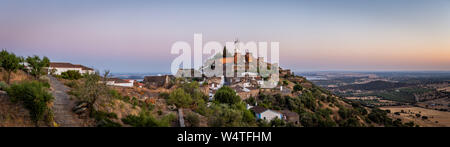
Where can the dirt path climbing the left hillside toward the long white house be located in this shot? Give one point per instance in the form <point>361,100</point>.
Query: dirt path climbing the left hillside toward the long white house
<point>62,105</point>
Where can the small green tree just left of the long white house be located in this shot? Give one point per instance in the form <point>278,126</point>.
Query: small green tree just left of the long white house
<point>37,65</point>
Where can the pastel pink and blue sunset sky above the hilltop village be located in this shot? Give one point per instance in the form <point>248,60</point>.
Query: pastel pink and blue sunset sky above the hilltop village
<point>136,36</point>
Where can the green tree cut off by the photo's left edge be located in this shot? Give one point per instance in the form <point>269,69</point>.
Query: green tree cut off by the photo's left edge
<point>10,62</point>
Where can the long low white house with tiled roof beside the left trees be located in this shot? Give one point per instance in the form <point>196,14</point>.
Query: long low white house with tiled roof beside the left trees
<point>59,67</point>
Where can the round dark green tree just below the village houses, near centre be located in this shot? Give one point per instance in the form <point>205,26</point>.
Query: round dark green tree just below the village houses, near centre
<point>226,95</point>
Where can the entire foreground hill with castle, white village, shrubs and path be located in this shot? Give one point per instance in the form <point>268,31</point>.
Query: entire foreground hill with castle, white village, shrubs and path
<point>69,94</point>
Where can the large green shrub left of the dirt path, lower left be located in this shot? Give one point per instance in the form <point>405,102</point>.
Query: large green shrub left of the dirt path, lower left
<point>35,97</point>
